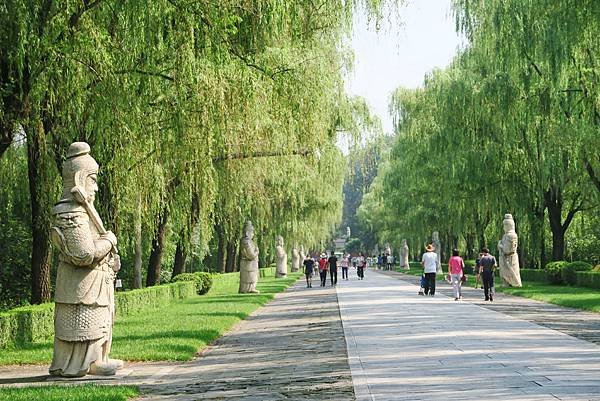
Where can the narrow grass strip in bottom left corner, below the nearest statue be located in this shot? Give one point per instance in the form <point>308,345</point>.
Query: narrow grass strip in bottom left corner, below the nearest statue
<point>87,392</point>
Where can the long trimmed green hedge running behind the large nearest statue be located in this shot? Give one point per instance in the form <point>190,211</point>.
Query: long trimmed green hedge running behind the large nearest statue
<point>35,323</point>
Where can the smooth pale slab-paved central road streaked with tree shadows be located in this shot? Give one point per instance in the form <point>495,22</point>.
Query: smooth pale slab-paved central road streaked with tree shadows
<point>405,347</point>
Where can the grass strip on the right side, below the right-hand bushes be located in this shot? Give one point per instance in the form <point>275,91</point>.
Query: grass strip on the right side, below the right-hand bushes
<point>573,297</point>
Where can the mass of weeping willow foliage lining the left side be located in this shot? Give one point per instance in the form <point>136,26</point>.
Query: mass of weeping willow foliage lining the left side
<point>176,99</point>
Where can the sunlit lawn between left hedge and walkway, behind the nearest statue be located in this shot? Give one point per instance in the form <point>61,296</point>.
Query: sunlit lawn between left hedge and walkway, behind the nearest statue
<point>176,331</point>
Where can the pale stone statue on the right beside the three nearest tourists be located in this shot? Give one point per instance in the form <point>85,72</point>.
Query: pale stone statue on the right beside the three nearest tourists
<point>507,254</point>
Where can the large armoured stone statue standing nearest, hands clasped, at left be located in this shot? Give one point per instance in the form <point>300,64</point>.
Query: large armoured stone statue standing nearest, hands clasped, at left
<point>84,296</point>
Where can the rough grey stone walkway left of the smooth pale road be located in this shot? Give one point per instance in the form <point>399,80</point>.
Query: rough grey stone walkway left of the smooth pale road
<point>291,349</point>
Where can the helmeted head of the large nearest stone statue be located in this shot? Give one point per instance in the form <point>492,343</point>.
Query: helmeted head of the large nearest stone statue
<point>80,173</point>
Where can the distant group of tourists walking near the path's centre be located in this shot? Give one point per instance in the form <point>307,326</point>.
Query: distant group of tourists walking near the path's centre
<point>329,264</point>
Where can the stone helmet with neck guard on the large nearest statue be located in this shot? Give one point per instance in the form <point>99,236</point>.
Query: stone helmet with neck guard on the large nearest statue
<point>77,167</point>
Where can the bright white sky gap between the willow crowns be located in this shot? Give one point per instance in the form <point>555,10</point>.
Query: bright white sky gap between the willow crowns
<point>401,53</point>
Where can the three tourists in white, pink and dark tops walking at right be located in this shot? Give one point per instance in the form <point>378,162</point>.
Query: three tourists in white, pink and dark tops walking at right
<point>485,266</point>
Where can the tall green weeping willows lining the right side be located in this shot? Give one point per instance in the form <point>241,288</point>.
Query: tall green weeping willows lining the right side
<point>510,126</point>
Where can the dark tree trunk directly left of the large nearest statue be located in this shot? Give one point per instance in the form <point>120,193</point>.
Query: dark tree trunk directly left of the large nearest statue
<point>39,172</point>
